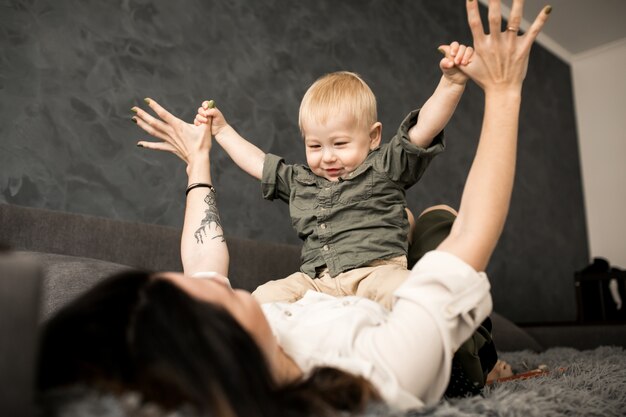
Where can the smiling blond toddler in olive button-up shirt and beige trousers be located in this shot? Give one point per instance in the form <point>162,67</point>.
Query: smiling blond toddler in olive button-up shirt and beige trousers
<point>348,204</point>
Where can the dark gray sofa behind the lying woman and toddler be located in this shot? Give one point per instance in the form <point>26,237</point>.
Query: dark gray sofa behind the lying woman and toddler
<point>55,256</point>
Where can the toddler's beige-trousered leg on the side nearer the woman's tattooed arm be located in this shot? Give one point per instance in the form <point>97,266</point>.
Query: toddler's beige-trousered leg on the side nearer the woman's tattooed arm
<point>289,289</point>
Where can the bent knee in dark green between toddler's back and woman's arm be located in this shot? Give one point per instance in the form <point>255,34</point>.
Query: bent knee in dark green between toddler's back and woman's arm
<point>430,229</point>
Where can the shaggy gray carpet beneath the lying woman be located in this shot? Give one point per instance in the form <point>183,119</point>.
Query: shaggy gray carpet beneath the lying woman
<point>593,384</point>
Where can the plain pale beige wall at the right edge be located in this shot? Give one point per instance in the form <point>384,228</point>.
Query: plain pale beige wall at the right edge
<point>599,79</point>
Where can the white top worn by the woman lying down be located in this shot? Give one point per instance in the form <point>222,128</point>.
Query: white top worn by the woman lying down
<point>405,353</point>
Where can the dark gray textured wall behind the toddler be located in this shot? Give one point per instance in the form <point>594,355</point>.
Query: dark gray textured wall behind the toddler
<point>71,69</point>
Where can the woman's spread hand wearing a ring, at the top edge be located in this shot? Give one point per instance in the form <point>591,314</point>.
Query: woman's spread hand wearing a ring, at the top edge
<point>500,60</point>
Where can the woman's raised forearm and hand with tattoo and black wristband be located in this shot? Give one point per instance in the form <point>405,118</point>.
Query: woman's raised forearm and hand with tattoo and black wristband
<point>203,247</point>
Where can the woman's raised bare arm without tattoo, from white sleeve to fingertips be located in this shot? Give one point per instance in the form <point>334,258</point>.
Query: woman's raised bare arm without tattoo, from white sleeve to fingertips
<point>498,67</point>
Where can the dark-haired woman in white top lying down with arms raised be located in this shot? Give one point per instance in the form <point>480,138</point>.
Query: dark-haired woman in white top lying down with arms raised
<point>184,341</point>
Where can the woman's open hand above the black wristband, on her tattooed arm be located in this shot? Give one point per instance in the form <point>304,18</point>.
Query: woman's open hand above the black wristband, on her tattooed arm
<point>182,139</point>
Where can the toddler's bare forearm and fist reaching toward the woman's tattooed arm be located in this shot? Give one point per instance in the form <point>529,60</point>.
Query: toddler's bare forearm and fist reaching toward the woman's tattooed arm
<point>246,155</point>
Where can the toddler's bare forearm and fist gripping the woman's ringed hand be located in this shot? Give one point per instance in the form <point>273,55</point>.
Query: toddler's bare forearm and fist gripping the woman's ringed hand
<point>438,109</point>
